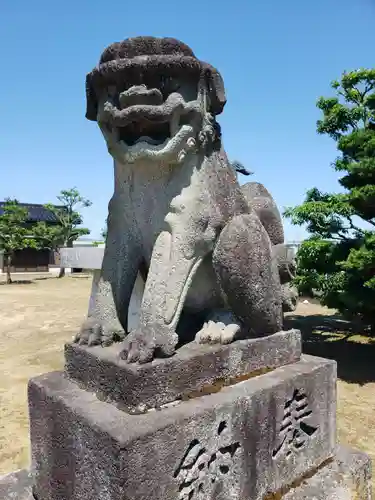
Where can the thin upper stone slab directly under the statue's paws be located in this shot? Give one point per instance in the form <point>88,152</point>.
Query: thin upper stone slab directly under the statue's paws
<point>194,367</point>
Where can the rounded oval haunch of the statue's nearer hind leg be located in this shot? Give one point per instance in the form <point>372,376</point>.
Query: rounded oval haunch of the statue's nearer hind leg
<point>248,276</point>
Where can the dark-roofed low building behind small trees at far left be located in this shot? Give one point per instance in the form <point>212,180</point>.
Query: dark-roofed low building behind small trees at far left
<point>29,259</point>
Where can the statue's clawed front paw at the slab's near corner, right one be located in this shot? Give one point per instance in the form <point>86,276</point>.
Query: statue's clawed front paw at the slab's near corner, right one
<point>146,343</point>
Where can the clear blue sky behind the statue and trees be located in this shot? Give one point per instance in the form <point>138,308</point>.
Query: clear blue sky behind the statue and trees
<point>276,58</point>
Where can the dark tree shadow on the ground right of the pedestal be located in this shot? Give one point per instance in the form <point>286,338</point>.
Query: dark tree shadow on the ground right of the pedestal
<point>333,338</point>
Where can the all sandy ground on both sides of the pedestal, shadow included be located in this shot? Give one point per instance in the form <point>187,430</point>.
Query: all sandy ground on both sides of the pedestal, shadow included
<point>39,316</point>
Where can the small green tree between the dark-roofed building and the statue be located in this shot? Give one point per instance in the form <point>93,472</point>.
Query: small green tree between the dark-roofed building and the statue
<point>69,218</point>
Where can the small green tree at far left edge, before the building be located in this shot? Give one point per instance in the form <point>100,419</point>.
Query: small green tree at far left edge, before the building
<point>14,232</point>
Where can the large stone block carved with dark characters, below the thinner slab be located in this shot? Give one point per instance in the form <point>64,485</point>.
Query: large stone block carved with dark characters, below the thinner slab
<point>251,438</point>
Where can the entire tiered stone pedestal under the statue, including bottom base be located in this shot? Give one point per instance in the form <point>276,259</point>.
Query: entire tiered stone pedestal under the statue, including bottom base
<point>254,420</point>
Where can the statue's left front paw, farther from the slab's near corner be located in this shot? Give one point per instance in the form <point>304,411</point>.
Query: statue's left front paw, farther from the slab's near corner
<point>99,332</point>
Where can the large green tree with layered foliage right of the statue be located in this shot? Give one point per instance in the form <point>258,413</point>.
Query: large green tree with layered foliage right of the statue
<point>338,260</point>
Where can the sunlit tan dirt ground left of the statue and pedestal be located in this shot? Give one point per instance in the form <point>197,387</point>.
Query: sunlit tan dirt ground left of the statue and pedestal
<point>36,319</point>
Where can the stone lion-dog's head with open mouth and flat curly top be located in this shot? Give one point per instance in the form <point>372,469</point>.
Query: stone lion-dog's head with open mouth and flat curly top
<point>153,99</point>
